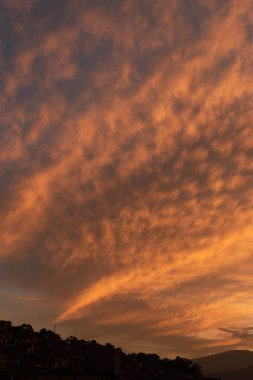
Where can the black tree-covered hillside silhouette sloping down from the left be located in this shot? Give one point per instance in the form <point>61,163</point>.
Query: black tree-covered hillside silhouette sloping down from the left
<point>29,355</point>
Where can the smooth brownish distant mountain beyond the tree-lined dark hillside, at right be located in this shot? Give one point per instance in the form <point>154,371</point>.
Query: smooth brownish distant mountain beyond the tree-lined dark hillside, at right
<point>229,365</point>
